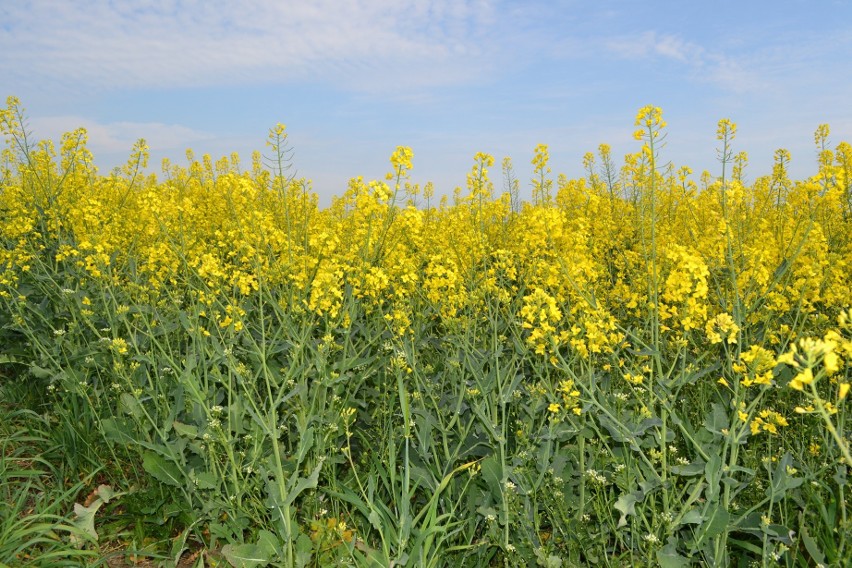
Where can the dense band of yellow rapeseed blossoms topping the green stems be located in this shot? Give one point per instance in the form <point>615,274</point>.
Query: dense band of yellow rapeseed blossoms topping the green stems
<point>576,268</point>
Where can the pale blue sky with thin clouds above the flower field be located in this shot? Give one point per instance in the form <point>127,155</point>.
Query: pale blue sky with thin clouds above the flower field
<point>354,79</point>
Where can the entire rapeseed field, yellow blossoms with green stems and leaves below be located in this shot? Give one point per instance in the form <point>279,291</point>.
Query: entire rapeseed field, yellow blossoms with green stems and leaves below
<point>203,367</point>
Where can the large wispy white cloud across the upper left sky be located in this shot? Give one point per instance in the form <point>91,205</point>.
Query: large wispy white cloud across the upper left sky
<point>170,43</point>
